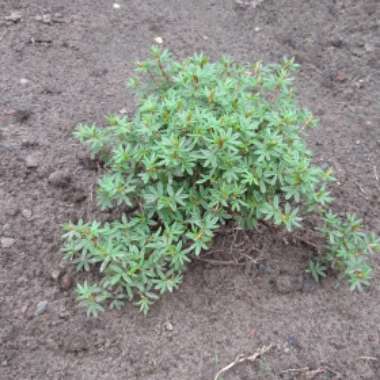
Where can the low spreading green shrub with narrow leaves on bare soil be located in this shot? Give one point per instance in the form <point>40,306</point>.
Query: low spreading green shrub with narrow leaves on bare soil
<point>209,143</point>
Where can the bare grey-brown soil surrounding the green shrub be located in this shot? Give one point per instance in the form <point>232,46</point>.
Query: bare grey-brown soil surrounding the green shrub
<point>54,75</point>
